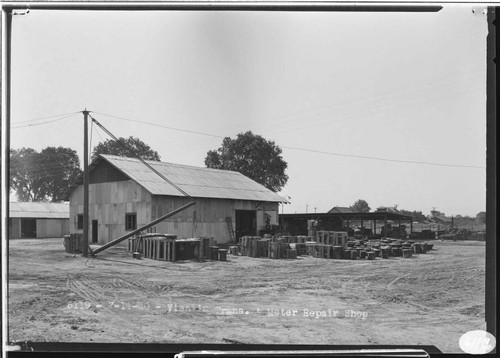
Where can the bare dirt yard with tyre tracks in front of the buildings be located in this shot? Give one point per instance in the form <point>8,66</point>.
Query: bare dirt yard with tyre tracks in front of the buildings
<point>429,299</point>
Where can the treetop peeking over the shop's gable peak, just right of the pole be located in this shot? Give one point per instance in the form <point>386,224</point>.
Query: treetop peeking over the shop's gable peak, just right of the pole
<point>131,147</point>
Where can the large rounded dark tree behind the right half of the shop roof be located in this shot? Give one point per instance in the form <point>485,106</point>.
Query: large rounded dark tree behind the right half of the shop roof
<point>253,156</point>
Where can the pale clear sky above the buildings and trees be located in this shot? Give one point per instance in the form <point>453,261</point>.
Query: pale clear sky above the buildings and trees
<point>399,86</point>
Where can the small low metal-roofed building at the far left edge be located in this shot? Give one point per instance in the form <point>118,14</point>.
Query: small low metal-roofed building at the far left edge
<point>38,220</point>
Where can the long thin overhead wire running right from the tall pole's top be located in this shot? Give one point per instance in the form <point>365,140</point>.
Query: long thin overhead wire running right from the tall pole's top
<point>309,150</point>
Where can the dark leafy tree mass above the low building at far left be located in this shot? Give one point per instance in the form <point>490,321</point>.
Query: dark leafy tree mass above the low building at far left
<point>43,176</point>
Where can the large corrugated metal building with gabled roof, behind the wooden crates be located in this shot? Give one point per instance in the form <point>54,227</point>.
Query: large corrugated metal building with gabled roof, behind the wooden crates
<point>125,194</point>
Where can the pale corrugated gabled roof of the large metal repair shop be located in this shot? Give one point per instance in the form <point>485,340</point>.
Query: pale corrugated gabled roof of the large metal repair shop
<point>196,181</point>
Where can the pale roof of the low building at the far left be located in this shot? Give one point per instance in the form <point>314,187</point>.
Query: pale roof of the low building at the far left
<point>39,210</point>
